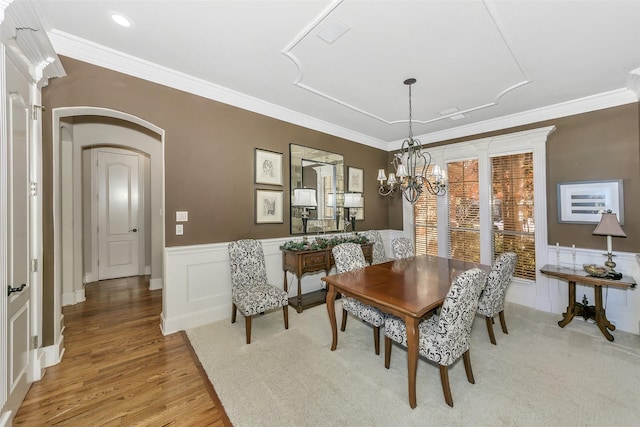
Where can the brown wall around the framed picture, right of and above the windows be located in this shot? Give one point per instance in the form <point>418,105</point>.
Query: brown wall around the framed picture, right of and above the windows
<point>599,145</point>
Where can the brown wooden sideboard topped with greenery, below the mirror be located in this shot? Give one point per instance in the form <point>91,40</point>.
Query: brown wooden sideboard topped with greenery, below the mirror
<point>301,262</point>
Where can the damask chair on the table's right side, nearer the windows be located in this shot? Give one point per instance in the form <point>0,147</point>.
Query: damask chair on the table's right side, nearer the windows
<point>492,298</point>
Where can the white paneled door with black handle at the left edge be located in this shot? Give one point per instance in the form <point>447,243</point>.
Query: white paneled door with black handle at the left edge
<point>18,315</point>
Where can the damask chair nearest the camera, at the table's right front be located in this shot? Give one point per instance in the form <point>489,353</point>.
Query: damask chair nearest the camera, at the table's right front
<point>445,337</point>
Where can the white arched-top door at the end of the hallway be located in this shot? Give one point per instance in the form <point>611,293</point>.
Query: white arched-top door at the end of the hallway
<point>118,195</point>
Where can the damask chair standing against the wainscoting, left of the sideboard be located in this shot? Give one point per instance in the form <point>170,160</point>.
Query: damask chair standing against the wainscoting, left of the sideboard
<point>250,291</point>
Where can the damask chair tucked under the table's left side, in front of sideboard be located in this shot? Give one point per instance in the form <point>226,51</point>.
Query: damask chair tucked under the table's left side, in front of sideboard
<point>348,257</point>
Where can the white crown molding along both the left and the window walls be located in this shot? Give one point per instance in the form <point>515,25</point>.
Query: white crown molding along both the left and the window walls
<point>84,50</point>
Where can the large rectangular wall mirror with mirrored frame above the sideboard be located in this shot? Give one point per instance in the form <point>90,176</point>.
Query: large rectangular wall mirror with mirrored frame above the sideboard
<point>326,223</point>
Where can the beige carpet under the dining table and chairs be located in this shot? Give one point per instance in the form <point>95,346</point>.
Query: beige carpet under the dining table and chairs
<point>538,375</point>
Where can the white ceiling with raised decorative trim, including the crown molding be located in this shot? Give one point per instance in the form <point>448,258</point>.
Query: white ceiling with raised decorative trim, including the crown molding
<point>490,64</point>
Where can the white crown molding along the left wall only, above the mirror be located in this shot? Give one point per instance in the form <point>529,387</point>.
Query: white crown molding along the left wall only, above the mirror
<point>77,48</point>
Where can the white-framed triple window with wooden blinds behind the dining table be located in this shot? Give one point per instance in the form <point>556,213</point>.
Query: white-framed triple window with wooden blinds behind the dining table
<point>496,202</point>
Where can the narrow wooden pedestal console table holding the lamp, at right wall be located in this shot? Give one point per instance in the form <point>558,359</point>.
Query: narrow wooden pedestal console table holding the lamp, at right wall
<point>575,308</point>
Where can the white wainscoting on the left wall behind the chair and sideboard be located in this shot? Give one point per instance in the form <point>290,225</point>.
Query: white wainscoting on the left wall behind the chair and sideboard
<point>198,281</point>
